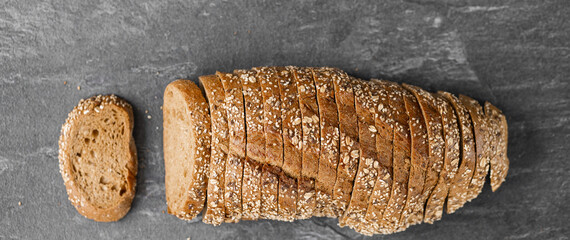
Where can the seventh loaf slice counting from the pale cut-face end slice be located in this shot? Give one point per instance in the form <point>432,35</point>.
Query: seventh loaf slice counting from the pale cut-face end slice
<point>309,121</point>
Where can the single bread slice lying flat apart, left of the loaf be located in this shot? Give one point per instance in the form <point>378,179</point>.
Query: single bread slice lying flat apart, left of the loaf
<point>97,158</point>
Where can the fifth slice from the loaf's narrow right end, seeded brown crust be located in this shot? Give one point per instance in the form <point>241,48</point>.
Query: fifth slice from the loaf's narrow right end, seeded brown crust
<point>435,142</point>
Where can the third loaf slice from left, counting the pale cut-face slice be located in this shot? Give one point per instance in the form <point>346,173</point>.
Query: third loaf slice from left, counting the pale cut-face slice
<point>237,143</point>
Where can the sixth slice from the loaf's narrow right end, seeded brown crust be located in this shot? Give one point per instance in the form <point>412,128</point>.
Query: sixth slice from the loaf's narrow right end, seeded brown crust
<point>419,160</point>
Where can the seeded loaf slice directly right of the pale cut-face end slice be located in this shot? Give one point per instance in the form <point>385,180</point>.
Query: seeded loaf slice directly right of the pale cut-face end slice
<point>214,90</point>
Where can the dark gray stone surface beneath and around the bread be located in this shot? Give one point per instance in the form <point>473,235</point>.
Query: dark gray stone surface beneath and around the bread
<point>513,53</point>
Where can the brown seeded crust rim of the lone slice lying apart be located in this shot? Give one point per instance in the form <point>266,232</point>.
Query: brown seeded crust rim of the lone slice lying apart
<point>76,194</point>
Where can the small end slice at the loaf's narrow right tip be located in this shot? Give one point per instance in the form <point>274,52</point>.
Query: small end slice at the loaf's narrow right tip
<point>497,145</point>
